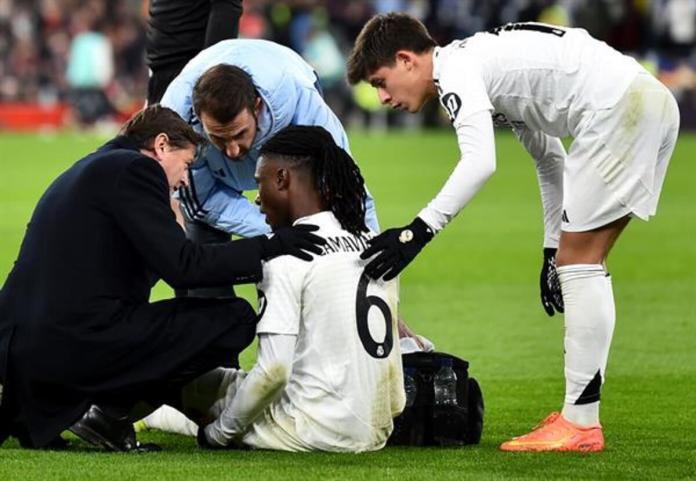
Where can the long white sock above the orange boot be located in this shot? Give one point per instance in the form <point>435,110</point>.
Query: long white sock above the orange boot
<point>589,324</point>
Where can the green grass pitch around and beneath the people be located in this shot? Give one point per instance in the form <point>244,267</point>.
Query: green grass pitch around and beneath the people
<point>474,292</point>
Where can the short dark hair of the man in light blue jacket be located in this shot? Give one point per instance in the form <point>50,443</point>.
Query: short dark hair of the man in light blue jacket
<point>223,92</point>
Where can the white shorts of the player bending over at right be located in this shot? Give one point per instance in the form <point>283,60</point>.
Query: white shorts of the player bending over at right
<point>617,163</point>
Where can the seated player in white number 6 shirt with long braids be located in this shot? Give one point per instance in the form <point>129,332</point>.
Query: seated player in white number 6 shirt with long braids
<point>328,373</point>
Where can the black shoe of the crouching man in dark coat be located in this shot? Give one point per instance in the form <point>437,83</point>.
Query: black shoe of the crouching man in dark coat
<point>109,432</point>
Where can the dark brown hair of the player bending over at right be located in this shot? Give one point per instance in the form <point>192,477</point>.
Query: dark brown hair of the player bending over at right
<point>380,39</point>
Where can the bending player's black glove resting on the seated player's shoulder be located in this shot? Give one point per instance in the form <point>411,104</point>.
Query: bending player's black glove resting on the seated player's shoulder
<point>397,248</point>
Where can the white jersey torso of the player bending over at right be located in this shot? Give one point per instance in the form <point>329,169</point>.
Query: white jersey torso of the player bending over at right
<point>541,76</point>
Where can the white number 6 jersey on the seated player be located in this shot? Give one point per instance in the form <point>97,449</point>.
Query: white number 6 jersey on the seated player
<point>346,384</point>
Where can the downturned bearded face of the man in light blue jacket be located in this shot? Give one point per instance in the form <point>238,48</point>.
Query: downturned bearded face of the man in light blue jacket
<point>234,138</point>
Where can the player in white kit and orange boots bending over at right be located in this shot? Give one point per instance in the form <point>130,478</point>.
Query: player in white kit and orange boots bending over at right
<point>544,82</point>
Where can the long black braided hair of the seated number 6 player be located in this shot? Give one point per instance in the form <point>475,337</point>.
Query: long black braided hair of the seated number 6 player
<point>334,173</point>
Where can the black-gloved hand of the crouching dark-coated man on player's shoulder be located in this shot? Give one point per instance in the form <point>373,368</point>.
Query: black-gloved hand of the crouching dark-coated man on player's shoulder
<point>292,241</point>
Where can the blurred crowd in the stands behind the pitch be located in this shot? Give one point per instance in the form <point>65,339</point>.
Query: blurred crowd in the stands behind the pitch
<point>50,49</point>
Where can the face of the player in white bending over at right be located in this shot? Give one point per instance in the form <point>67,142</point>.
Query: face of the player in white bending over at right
<point>401,85</point>
